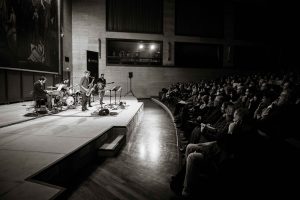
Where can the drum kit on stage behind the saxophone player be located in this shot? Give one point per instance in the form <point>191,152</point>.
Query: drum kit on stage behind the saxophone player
<point>62,95</point>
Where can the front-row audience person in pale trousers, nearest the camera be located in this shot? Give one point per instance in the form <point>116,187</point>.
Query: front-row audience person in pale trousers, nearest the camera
<point>206,160</point>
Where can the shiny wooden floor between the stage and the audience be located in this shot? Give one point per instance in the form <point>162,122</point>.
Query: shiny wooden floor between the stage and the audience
<point>143,169</point>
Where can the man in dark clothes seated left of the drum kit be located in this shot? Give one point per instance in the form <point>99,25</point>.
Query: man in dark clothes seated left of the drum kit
<point>40,93</point>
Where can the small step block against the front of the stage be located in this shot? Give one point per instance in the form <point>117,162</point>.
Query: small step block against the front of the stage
<point>113,147</point>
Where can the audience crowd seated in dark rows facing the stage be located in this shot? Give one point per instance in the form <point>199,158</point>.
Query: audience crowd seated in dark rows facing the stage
<point>265,107</point>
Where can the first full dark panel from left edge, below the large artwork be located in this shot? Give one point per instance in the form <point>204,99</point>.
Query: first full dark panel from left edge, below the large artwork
<point>14,86</point>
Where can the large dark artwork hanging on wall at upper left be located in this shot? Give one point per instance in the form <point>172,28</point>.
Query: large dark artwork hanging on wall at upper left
<point>29,35</point>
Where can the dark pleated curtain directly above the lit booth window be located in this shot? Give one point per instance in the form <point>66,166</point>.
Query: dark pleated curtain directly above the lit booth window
<point>142,16</point>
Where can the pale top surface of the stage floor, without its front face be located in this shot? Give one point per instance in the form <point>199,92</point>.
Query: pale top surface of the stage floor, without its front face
<point>28,144</point>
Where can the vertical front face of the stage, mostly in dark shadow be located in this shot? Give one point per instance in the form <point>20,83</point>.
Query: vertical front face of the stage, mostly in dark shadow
<point>65,169</point>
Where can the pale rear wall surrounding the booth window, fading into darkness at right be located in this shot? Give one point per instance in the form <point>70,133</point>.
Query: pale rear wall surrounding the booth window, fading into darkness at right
<point>241,43</point>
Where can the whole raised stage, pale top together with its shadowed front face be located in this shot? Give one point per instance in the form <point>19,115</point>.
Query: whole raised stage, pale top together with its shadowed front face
<point>37,152</point>
